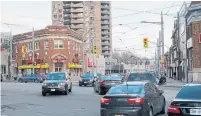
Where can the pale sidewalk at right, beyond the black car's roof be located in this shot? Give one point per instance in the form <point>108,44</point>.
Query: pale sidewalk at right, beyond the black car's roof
<point>174,83</point>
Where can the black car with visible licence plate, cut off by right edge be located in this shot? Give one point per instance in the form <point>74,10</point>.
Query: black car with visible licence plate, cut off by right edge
<point>187,102</point>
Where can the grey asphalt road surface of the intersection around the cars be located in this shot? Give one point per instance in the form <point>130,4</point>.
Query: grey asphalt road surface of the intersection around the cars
<point>25,99</point>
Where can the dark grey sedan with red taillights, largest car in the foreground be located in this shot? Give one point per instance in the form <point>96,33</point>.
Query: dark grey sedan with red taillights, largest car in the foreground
<point>133,99</point>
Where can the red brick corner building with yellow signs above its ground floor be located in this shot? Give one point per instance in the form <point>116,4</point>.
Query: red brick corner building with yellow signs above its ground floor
<point>57,48</point>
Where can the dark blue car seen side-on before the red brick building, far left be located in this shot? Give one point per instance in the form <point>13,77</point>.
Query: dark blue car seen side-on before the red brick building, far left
<point>30,78</point>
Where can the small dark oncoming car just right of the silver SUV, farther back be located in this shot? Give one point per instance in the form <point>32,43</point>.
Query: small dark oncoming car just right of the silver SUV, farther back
<point>86,79</point>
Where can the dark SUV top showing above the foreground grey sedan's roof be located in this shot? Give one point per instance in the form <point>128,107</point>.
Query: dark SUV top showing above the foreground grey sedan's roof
<point>142,77</point>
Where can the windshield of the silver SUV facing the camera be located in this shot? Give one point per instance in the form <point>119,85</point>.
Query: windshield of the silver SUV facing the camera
<point>56,76</point>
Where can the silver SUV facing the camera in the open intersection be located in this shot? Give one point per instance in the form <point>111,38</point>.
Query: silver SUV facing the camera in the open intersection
<point>57,82</point>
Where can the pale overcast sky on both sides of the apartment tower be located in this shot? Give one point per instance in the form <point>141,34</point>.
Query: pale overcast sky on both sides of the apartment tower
<point>37,14</point>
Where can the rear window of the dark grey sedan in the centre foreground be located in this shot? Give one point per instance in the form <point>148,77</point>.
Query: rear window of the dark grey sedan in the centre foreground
<point>124,89</point>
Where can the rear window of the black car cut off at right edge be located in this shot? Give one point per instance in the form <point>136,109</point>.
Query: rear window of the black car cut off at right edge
<point>190,92</point>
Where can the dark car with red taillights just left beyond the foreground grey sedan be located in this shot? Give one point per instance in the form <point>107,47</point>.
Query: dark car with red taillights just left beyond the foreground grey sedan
<point>103,83</point>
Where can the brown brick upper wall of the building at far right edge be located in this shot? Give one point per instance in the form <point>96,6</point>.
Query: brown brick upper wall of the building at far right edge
<point>196,30</point>
